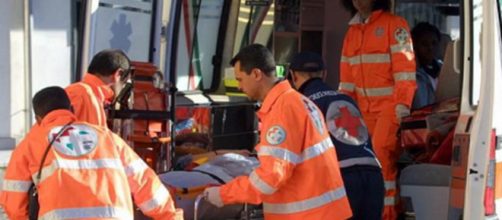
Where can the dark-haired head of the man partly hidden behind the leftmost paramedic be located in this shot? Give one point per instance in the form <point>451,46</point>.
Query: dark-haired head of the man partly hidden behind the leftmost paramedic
<point>110,65</point>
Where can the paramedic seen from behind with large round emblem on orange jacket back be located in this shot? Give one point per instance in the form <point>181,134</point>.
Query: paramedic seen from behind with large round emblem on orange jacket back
<point>89,172</point>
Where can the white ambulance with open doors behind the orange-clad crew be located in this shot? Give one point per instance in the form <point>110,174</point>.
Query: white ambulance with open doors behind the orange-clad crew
<point>50,42</point>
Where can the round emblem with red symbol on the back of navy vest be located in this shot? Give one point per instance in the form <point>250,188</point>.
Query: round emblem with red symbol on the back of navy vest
<point>345,123</point>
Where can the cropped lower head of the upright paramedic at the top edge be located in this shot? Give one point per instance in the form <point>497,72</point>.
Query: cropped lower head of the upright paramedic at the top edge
<point>366,6</point>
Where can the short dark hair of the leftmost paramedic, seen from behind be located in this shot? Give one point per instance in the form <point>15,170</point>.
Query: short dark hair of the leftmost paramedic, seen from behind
<point>50,99</point>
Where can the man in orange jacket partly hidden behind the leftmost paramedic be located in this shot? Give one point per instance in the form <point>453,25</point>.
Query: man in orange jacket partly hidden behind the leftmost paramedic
<point>90,96</point>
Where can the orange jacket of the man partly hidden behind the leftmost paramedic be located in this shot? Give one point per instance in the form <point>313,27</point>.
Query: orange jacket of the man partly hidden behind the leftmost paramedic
<point>88,98</point>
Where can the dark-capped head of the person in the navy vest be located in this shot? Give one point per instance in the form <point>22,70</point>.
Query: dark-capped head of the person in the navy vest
<point>304,66</point>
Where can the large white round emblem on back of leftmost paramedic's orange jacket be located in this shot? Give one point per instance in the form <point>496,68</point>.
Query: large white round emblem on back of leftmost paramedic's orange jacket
<point>76,140</point>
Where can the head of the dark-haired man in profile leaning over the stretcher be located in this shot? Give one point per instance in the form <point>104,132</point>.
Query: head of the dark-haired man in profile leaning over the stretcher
<point>254,69</point>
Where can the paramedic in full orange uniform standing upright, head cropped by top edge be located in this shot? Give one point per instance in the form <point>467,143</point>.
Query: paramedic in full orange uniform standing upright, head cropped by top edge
<point>377,69</point>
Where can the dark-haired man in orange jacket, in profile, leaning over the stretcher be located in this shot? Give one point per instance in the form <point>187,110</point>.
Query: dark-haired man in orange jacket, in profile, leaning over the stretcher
<point>298,176</point>
